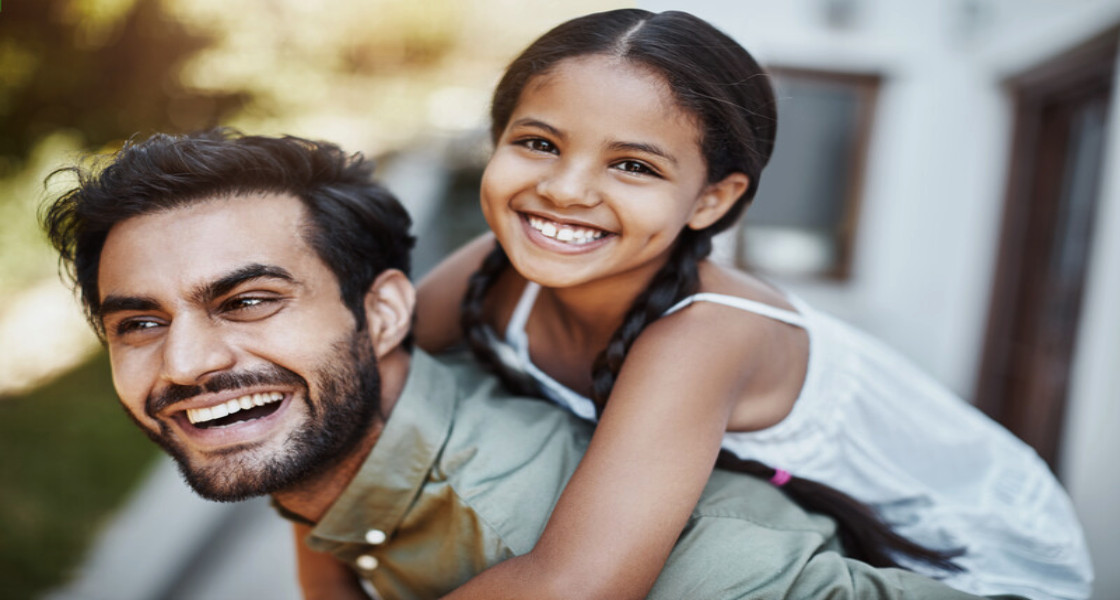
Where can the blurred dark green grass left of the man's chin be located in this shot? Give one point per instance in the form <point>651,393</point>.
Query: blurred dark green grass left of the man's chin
<point>68,456</point>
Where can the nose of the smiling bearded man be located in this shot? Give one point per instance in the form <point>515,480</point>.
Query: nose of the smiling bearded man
<point>193,350</point>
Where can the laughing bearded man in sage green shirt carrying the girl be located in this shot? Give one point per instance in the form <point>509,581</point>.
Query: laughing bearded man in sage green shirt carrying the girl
<point>254,296</point>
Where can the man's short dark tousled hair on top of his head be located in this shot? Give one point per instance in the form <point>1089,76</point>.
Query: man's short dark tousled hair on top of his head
<point>356,226</point>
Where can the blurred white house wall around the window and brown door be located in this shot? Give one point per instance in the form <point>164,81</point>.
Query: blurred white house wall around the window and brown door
<point>934,199</point>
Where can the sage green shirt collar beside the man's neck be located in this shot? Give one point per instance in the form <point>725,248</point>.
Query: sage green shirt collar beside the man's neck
<point>381,493</point>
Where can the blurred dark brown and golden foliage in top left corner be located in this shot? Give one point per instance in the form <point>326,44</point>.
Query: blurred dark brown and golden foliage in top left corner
<point>105,70</point>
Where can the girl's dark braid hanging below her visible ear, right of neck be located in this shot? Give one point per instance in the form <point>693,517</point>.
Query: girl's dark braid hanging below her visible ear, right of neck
<point>678,278</point>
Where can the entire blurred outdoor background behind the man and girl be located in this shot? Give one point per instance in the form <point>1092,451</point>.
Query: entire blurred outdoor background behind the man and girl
<point>946,179</point>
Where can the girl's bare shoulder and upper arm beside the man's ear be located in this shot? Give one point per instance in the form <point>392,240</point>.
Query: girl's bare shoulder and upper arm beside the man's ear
<point>440,294</point>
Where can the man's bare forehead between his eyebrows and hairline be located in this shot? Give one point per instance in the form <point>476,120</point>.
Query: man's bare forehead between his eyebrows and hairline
<point>194,245</point>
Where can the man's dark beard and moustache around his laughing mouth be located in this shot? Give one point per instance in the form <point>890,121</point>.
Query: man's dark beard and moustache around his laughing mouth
<point>349,402</point>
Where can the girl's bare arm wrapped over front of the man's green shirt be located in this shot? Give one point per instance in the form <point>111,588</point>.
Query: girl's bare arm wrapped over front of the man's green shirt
<point>649,461</point>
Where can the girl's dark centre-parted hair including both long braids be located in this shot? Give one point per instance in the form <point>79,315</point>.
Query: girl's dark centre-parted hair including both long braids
<point>714,79</point>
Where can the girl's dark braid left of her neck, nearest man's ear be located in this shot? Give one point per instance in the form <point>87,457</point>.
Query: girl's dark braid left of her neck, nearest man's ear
<point>479,335</point>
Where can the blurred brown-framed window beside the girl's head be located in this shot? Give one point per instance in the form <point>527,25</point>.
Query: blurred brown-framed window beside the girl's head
<point>804,220</point>
